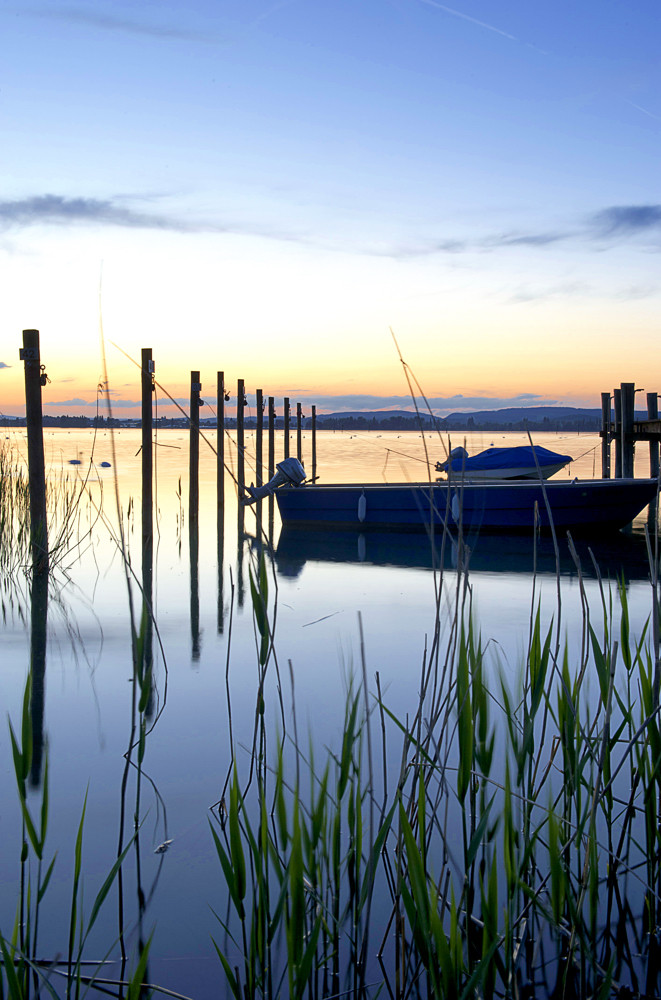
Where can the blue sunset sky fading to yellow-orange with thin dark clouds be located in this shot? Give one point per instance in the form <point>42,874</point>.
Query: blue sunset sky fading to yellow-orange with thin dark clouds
<point>270,187</point>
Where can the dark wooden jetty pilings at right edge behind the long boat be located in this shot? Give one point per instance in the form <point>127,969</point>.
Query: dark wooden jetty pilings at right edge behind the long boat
<point>619,425</point>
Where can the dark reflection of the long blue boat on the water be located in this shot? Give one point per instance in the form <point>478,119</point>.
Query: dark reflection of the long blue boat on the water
<point>619,556</point>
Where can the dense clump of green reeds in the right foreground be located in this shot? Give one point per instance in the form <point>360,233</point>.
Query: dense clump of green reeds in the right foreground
<point>517,852</point>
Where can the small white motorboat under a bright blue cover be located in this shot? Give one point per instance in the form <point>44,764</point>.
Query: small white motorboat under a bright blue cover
<point>522,462</point>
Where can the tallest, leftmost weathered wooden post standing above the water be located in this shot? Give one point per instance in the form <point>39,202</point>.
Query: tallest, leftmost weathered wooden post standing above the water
<point>34,380</point>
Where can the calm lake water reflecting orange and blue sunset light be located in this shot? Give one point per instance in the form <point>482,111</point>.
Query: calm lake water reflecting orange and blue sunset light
<point>205,647</point>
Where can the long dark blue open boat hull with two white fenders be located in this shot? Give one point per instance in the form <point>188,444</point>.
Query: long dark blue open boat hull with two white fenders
<point>588,505</point>
